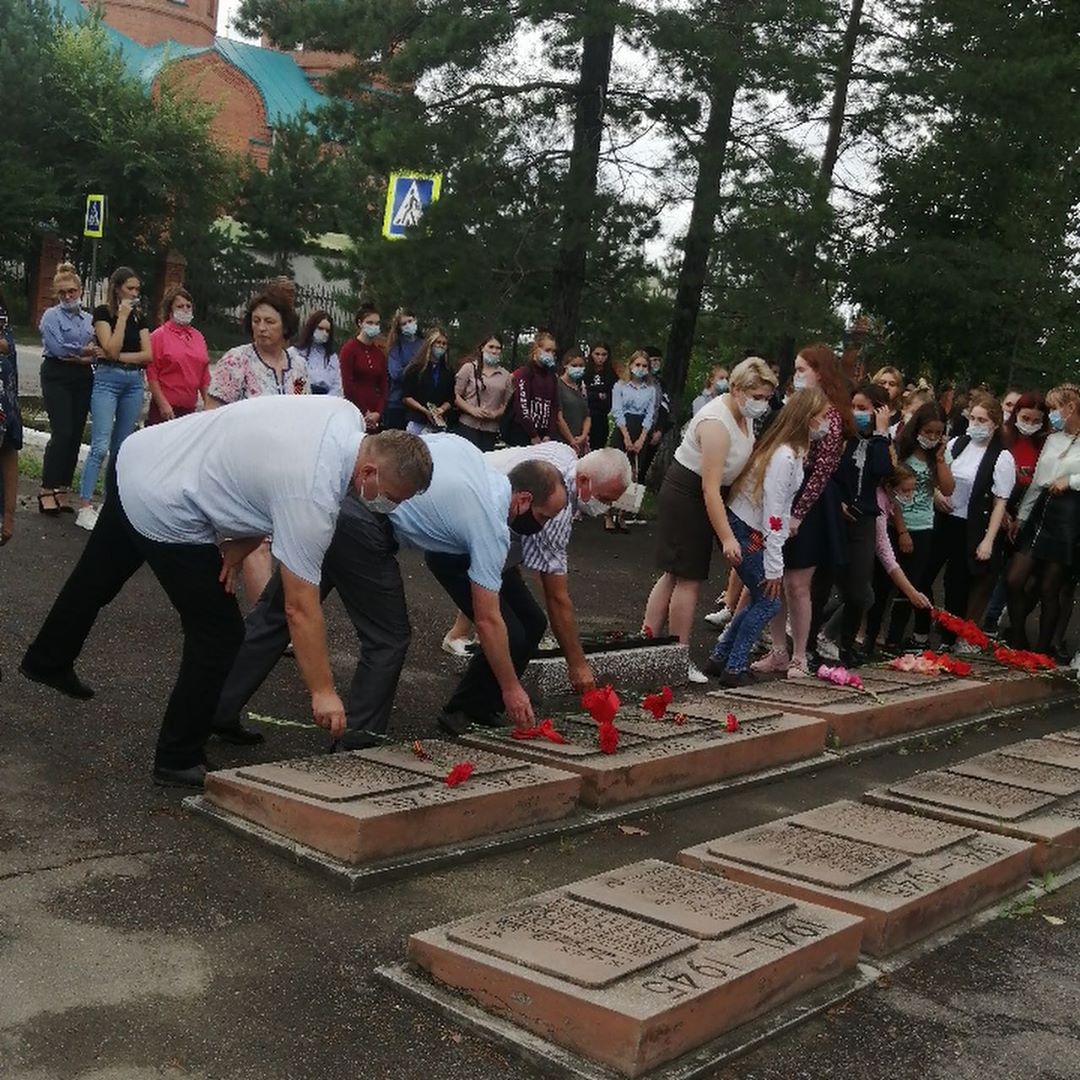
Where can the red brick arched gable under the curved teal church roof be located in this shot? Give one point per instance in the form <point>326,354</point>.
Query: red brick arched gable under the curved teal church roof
<point>241,123</point>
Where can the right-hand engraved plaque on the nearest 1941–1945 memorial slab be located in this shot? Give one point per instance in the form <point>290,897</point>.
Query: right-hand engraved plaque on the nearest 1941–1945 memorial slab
<point>699,904</point>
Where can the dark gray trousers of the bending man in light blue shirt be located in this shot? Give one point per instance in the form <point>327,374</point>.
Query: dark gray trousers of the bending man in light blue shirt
<point>360,564</point>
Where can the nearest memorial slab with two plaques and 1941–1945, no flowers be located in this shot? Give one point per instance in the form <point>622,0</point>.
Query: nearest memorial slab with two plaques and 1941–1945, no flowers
<point>639,966</point>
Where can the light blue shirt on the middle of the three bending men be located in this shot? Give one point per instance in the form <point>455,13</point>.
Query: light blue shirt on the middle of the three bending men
<point>464,512</point>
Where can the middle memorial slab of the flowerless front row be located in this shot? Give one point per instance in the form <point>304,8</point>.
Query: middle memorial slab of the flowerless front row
<point>904,875</point>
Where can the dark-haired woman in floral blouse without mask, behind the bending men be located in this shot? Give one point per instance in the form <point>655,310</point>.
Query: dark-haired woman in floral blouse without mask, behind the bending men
<point>269,366</point>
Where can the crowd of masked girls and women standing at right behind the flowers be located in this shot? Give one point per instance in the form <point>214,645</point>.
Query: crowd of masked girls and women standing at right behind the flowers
<point>839,506</point>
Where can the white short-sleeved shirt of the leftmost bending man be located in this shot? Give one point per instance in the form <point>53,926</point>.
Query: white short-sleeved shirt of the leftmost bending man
<point>265,467</point>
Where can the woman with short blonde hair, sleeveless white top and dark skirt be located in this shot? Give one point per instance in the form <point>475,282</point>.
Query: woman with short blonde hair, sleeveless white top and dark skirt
<point>692,517</point>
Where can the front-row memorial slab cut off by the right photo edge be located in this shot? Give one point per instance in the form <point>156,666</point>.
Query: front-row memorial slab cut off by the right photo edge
<point>1030,791</point>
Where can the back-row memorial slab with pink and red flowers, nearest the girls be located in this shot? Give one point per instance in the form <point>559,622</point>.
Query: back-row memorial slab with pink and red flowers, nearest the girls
<point>900,703</point>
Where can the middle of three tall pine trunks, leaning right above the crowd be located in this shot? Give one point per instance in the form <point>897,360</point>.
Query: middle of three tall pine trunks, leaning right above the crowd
<point>700,235</point>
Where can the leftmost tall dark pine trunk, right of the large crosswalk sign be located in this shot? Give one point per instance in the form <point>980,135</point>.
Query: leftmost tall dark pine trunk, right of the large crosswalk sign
<point>580,198</point>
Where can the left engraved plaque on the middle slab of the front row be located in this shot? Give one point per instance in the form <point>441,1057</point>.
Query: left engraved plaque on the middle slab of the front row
<point>814,857</point>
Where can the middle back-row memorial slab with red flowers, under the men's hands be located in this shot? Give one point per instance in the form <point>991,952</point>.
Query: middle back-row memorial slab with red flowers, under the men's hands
<point>690,748</point>
